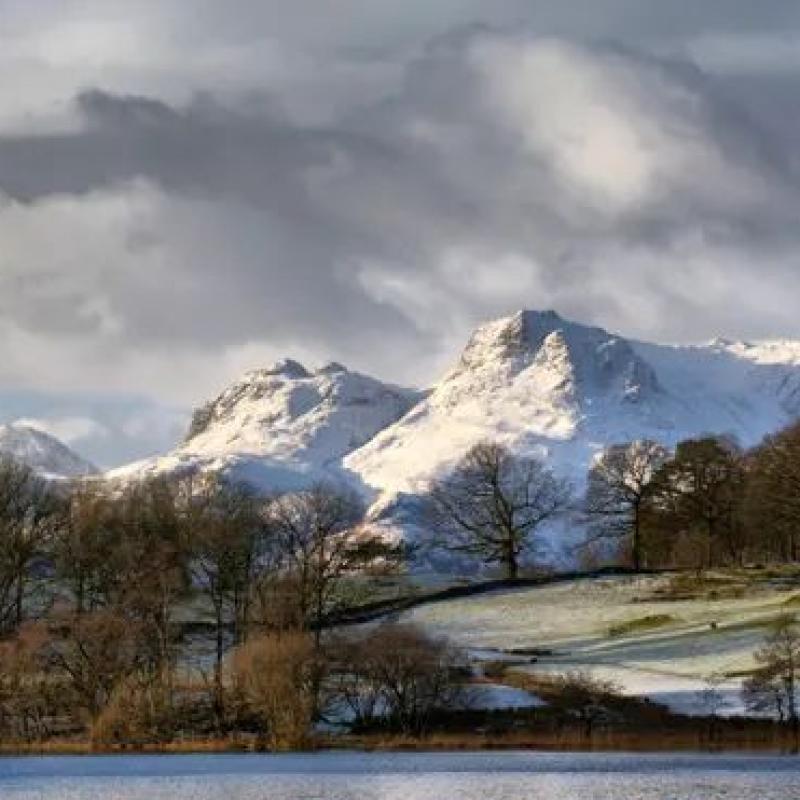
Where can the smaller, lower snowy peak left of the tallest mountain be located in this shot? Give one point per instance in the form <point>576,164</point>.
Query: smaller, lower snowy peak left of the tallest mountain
<point>282,427</point>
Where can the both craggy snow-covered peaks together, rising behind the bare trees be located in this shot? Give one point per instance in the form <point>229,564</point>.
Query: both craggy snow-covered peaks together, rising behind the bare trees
<point>533,381</point>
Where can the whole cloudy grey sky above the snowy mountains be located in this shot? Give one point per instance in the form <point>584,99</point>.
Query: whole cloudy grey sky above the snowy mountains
<point>189,190</point>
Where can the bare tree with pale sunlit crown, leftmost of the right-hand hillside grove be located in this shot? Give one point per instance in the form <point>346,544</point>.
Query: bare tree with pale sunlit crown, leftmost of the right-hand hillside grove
<point>619,485</point>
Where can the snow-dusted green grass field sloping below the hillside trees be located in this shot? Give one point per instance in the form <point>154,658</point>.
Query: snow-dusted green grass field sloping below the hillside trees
<point>696,638</point>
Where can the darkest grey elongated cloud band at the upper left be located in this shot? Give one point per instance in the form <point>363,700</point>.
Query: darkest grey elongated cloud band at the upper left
<point>200,147</point>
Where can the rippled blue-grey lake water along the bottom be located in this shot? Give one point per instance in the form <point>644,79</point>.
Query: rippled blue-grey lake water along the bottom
<point>401,776</point>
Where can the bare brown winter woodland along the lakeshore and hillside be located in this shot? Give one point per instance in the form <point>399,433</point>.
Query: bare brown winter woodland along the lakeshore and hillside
<point>101,588</point>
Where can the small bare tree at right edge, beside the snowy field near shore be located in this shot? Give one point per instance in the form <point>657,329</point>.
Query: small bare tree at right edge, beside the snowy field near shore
<point>775,686</point>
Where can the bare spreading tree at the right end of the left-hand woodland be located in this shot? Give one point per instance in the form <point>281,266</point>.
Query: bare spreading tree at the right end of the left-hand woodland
<point>322,542</point>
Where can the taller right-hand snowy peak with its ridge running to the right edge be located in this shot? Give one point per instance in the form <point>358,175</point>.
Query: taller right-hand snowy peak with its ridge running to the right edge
<point>563,391</point>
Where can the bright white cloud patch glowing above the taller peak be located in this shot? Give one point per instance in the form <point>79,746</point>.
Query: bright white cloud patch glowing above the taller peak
<point>621,130</point>
